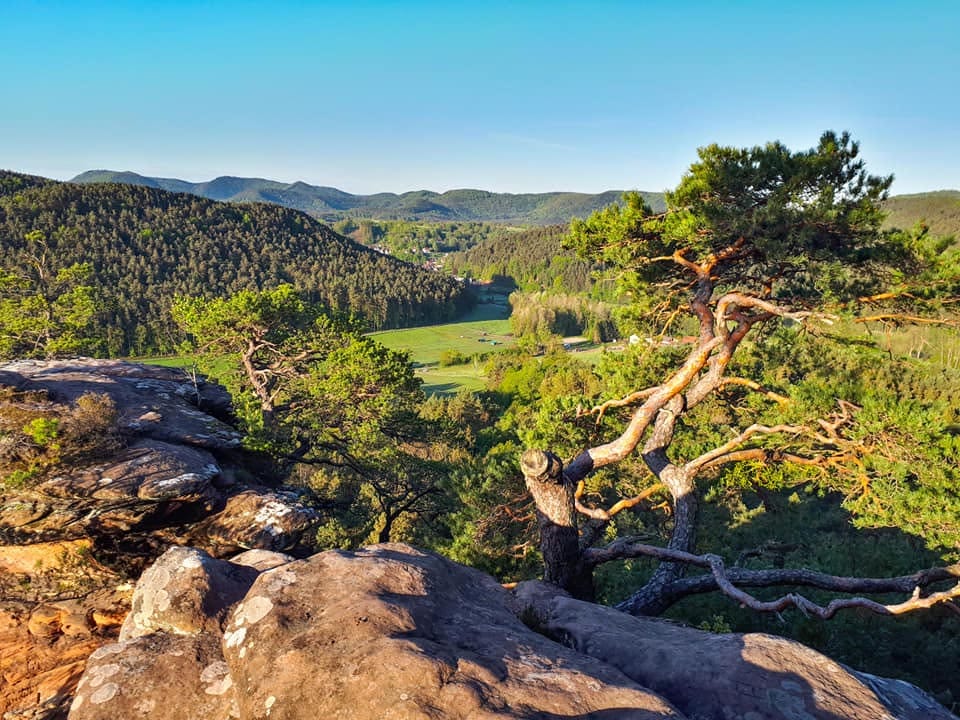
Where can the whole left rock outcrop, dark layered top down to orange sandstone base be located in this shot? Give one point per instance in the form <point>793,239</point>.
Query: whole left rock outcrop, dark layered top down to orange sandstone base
<point>79,529</point>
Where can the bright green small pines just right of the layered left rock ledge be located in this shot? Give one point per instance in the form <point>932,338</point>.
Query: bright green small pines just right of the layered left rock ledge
<point>337,411</point>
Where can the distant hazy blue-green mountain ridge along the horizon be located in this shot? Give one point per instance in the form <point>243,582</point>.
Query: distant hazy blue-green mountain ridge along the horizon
<point>331,204</point>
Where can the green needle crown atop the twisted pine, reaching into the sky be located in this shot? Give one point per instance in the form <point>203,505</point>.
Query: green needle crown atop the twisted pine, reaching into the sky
<point>797,226</point>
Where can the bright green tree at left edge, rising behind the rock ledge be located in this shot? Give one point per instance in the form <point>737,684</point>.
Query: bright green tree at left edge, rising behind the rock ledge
<point>45,311</point>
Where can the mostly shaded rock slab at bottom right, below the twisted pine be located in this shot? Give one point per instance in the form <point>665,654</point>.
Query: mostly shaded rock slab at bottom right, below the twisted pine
<point>717,677</point>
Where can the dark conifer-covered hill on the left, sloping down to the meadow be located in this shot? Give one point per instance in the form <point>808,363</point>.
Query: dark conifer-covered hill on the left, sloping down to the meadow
<point>146,245</point>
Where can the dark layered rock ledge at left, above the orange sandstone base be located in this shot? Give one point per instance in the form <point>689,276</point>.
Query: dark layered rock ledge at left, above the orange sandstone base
<point>171,475</point>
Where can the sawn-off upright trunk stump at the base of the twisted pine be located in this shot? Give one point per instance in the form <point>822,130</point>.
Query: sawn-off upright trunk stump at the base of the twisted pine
<point>553,495</point>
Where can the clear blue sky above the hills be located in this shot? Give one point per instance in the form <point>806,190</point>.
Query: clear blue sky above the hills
<point>507,96</point>
